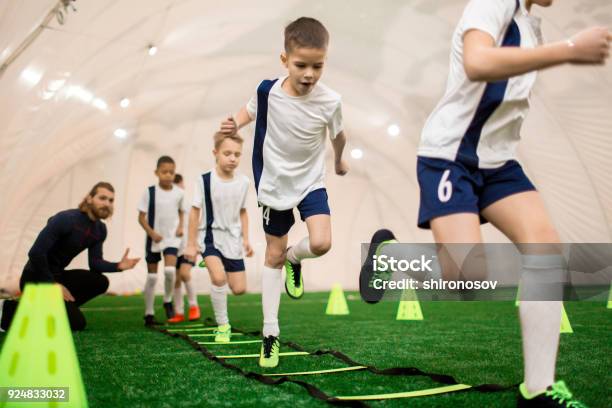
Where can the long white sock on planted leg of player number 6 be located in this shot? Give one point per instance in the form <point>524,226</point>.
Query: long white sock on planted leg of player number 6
<point>541,320</point>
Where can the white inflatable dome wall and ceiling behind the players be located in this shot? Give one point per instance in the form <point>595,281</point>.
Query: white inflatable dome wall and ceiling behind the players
<point>60,112</point>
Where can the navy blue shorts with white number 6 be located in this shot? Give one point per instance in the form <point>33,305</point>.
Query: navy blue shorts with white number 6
<point>449,187</point>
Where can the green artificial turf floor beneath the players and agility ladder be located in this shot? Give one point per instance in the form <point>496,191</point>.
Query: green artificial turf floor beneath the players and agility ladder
<point>124,364</point>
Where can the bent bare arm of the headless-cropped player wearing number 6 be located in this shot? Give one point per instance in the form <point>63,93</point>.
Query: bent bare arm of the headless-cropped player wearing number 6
<point>484,61</point>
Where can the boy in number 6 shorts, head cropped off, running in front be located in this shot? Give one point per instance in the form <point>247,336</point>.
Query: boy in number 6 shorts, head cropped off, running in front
<point>468,174</point>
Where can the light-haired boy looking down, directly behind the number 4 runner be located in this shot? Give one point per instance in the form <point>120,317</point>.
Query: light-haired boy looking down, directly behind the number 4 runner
<point>219,213</point>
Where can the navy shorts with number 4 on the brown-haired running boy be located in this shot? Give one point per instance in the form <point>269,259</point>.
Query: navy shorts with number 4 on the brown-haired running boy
<point>278,223</point>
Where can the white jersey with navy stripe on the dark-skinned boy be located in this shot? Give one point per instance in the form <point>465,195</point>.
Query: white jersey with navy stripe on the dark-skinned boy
<point>163,215</point>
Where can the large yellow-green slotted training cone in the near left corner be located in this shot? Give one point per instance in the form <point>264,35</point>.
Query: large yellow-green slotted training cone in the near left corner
<point>39,350</point>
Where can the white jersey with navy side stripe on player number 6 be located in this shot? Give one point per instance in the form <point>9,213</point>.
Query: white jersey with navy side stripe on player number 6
<point>479,123</point>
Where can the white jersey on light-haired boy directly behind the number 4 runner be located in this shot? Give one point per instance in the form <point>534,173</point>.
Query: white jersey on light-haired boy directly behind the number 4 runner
<point>220,225</point>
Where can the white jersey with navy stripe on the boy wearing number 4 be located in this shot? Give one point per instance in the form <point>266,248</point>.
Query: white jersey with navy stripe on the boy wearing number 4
<point>289,146</point>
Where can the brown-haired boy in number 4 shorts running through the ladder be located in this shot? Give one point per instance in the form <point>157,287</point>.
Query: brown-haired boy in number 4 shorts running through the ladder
<point>293,114</point>
